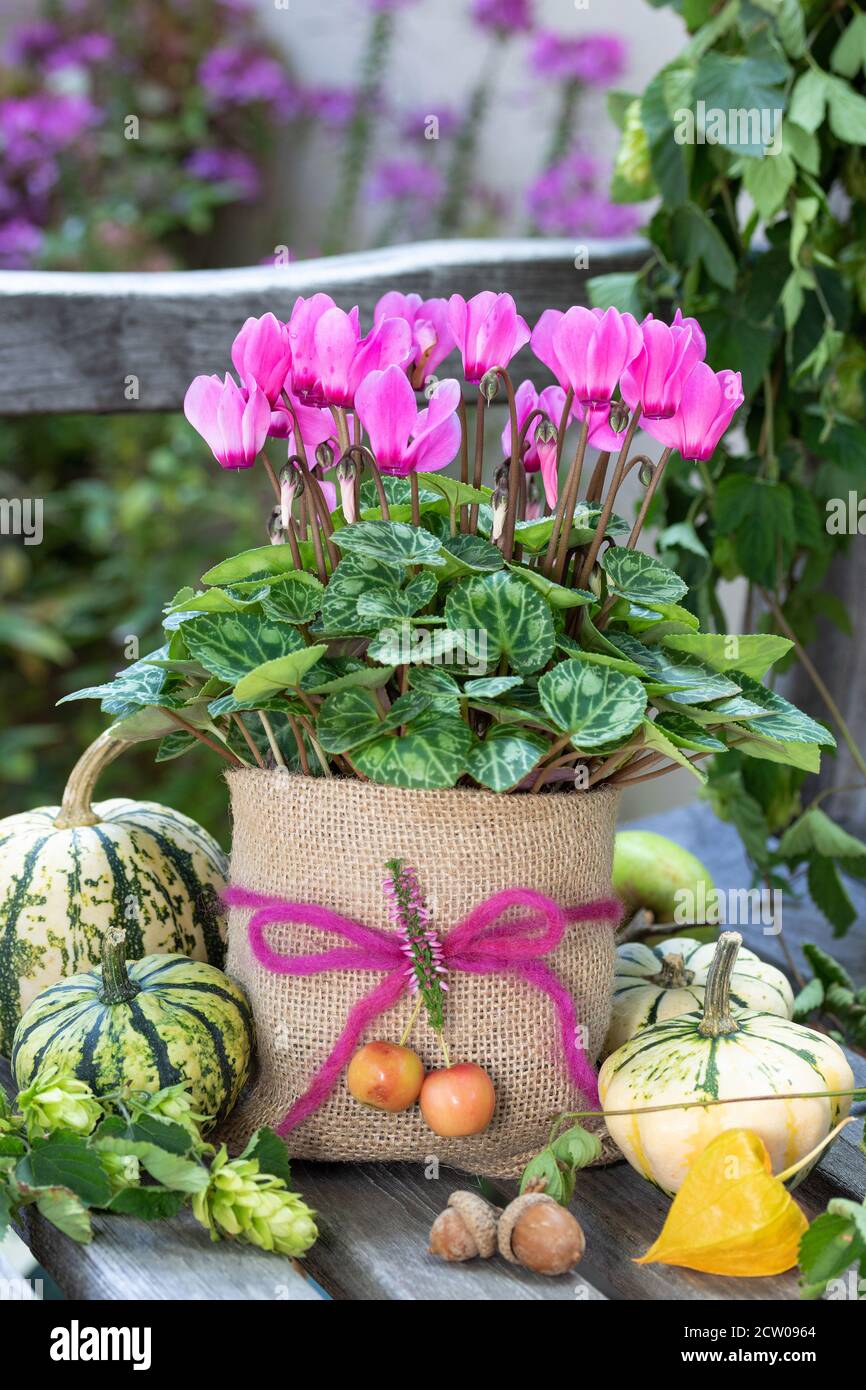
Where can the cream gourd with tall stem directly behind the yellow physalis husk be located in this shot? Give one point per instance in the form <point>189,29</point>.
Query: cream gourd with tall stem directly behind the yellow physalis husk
<point>721,1056</point>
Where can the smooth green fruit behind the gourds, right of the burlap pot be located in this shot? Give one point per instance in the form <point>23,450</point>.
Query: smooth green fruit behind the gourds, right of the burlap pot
<point>653,872</point>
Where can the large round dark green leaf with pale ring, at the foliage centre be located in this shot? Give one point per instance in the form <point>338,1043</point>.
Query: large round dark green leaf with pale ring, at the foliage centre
<point>512,615</point>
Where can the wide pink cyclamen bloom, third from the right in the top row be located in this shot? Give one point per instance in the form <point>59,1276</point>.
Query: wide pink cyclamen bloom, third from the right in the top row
<point>587,350</point>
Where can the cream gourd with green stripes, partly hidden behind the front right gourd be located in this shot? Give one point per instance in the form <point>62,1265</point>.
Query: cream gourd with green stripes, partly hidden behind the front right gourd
<point>657,983</point>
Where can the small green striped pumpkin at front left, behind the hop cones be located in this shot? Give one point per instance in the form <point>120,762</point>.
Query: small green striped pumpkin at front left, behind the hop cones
<point>142,1025</point>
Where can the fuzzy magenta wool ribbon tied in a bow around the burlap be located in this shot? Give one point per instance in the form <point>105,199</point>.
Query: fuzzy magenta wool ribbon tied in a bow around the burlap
<point>482,945</point>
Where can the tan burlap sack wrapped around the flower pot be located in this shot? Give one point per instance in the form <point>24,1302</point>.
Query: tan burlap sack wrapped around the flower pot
<point>327,842</point>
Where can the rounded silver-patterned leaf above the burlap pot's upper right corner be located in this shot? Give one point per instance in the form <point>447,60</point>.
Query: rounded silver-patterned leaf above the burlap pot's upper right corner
<point>596,705</point>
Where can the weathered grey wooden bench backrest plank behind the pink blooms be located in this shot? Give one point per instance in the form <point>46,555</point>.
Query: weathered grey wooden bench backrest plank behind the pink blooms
<point>69,343</point>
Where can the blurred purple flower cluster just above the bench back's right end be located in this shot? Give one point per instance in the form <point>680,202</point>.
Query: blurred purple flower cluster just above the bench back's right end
<point>566,201</point>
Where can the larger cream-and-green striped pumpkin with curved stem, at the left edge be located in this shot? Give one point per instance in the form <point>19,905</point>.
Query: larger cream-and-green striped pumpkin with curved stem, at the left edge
<point>69,872</point>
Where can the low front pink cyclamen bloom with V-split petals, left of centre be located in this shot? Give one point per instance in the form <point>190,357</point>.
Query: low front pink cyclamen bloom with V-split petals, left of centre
<point>405,440</point>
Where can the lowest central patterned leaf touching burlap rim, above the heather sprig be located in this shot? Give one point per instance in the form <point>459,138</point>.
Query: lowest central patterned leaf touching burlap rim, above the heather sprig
<point>432,754</point>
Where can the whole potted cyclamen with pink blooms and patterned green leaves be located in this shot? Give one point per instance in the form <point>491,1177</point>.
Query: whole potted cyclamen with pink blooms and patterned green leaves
<point>429,632</point>
